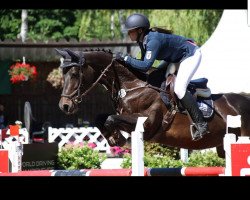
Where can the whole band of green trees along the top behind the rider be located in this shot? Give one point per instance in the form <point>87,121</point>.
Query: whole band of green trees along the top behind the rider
<point>104,24</point>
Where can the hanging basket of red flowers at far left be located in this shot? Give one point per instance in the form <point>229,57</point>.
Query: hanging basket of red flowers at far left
<point>22,72</point>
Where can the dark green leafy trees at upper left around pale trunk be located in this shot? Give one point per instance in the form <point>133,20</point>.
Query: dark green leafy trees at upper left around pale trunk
<point>42,24</point>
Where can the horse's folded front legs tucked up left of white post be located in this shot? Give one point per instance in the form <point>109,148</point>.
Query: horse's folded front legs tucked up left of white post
<point>114,126</point>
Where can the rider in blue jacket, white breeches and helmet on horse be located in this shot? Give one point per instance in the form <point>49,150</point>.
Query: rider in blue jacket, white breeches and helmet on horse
<point>161,44</point>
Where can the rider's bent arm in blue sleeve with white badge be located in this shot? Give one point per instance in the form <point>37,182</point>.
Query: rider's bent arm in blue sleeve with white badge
<point>153,47</point>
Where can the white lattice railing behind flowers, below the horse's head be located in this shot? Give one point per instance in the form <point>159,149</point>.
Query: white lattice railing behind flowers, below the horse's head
<point>78,135</point>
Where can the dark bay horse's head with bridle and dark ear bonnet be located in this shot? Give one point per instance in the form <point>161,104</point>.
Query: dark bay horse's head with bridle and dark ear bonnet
<point>79,77</point>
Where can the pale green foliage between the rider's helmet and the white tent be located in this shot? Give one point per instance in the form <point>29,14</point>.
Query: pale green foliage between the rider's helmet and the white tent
<point>196,24</point>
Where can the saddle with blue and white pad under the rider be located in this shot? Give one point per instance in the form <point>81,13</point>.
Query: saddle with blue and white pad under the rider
<point>201,93</point>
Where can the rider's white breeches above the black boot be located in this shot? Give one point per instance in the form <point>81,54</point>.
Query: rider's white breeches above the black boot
<point>185,73</point>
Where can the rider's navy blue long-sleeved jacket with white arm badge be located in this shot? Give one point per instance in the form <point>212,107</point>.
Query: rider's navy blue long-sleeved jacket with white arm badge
<point>160,46</point>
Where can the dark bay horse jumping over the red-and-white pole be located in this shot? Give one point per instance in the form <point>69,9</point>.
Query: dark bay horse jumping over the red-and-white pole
<point>133,97</point>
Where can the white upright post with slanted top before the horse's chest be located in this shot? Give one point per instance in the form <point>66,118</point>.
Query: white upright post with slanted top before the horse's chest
<point>138,148</point>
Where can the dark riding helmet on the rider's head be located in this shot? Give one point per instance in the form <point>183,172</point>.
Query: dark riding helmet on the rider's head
<point>137,21</point>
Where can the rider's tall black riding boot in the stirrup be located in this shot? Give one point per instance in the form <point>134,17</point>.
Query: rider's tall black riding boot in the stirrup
<point>201,126</point>
